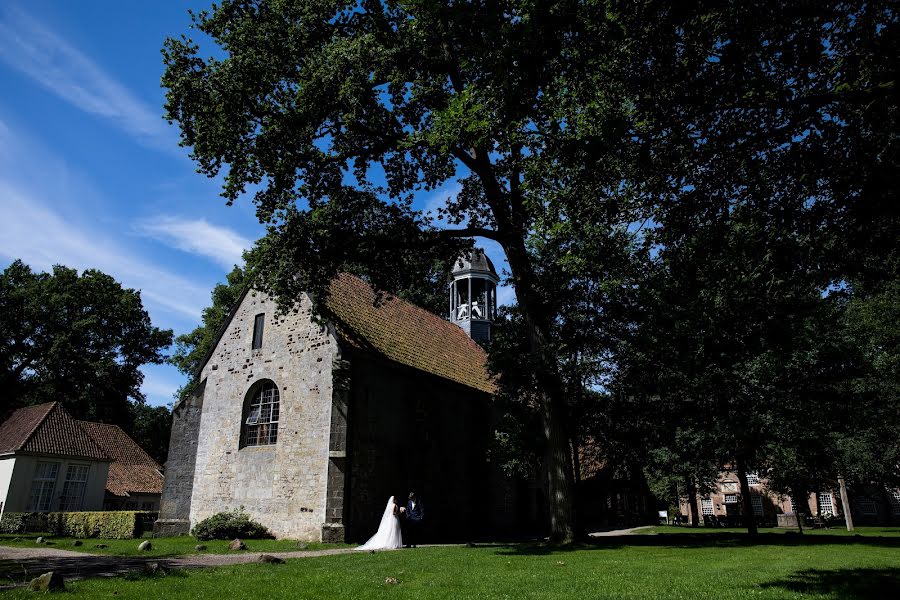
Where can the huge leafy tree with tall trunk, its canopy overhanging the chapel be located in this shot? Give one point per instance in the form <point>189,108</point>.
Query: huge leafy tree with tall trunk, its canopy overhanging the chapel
<point>565,123</point>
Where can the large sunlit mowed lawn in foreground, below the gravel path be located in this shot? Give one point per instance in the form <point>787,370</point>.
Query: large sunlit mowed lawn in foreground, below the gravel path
<point>720,567</point>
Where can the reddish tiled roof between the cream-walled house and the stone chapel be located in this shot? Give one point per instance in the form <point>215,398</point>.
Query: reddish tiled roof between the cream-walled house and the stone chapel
<point>132,470</point>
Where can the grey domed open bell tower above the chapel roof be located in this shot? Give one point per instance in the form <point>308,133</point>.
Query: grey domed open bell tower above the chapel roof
<point>473,295</point>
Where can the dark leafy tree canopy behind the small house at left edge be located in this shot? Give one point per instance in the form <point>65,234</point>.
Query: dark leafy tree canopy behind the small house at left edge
<point>78,339</point>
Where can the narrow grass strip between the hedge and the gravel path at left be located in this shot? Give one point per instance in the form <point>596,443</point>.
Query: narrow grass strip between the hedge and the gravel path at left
<point>162,547</point>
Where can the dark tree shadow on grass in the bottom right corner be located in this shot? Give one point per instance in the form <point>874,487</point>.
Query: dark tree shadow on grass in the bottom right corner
<point>852,584</point>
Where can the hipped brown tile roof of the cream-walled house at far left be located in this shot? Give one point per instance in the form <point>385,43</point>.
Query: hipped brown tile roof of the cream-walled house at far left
<point>47,429</point>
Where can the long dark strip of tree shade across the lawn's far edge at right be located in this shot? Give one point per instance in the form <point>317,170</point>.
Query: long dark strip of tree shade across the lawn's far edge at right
<point>705,540</point>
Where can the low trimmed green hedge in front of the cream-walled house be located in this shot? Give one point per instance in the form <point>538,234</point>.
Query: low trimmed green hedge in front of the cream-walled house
<point>120,524</point>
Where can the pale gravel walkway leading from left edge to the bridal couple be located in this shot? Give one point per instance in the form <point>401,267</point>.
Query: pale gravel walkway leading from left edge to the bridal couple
<point>79,565</point>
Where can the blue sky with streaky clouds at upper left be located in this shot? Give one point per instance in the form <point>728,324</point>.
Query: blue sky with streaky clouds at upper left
<point>91,176</point>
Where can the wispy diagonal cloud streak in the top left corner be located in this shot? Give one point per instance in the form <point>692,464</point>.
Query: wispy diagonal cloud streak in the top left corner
<point>31,48</point>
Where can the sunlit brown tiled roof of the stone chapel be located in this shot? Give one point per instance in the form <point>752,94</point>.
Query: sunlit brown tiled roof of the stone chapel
<point>407,334</point>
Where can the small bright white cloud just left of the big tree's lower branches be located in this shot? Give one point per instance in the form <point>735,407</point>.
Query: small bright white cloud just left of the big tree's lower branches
<point>197,236</point>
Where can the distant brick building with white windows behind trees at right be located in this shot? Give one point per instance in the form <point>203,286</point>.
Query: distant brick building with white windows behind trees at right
<point>869,506</point>
